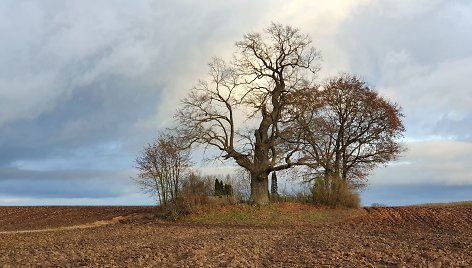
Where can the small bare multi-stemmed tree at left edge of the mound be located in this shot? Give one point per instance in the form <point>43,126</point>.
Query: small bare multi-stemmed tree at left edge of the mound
<point>162,166</point>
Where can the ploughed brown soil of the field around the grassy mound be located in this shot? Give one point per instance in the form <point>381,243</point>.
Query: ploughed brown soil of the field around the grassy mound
<point>379,237</point>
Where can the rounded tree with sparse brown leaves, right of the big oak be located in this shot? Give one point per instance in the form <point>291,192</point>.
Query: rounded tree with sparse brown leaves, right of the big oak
<point>347,129</point>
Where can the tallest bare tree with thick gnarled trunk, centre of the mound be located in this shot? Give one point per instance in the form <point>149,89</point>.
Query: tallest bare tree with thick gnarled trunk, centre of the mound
<point>255,86</point>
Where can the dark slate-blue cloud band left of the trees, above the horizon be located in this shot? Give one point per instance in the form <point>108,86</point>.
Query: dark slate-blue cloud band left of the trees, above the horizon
<point>103,112</point>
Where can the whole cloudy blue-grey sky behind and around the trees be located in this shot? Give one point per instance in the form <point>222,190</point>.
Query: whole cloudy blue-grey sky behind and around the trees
<point>85,84</point>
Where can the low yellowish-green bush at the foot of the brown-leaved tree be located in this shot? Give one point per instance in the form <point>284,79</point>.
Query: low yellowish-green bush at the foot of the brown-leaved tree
<point>334,192</point>
